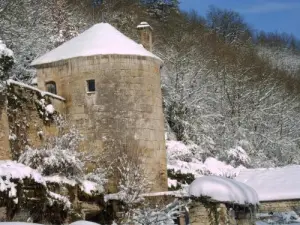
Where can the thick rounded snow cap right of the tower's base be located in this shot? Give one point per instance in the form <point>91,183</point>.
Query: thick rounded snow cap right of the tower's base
<point>224,190</point>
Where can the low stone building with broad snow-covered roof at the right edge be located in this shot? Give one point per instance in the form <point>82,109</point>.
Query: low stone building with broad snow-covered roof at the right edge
<point>277,188</point>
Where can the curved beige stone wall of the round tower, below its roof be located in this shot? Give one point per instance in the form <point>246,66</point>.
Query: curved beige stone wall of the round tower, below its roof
<point>125,112</point>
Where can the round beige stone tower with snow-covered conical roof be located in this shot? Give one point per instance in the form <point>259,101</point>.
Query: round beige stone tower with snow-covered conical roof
<point>112,89</point>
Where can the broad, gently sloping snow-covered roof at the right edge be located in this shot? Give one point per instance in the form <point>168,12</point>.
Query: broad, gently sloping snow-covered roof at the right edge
<point>273,184</point>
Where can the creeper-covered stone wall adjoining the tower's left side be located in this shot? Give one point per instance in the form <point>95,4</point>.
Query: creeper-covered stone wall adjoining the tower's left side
<point>28,122</point>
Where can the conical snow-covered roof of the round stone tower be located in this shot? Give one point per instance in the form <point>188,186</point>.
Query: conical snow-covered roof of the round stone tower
<point>100,39</point>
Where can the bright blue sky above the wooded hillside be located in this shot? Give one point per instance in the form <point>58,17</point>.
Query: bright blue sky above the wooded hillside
<point>267,15</point>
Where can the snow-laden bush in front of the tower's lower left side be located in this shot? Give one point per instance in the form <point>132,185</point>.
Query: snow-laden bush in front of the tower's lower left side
<point>60,157</point>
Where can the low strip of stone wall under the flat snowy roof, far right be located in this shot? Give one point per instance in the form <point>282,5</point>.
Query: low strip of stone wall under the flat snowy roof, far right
<point>279,206</point>
